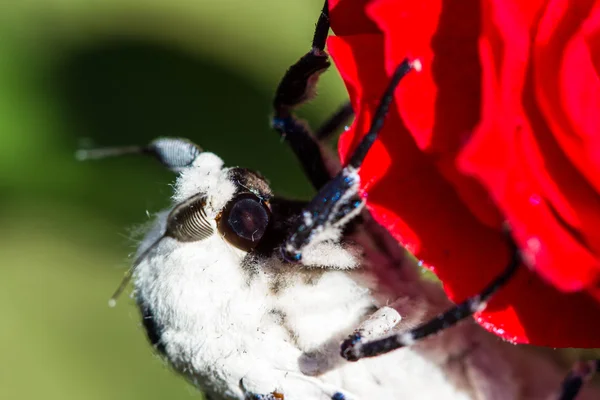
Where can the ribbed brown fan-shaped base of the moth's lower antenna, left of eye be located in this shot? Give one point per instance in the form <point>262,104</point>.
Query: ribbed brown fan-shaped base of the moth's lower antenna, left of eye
<point>187,222</point>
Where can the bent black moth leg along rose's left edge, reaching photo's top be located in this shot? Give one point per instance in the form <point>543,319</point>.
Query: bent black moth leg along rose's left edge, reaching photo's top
<point>296,87</point>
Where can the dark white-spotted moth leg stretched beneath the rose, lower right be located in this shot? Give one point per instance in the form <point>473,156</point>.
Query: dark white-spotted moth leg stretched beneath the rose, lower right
<point>354,348</point>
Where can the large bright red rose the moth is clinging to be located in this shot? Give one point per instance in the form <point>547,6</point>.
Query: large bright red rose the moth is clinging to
<point>503,123</point>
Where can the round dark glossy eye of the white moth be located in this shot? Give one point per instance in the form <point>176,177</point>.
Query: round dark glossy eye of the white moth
<point>244,221</point>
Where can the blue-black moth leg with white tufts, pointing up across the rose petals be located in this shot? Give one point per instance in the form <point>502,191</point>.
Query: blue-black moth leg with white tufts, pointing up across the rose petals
<point>339,200</point>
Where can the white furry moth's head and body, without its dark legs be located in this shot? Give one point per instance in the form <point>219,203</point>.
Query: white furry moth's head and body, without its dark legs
<point>224,308</point>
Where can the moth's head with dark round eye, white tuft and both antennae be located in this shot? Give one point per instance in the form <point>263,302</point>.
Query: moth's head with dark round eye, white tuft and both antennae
<point>215,209</point>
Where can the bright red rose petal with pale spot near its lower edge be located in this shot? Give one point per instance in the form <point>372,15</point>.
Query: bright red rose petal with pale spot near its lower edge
<point>518,158</point>
